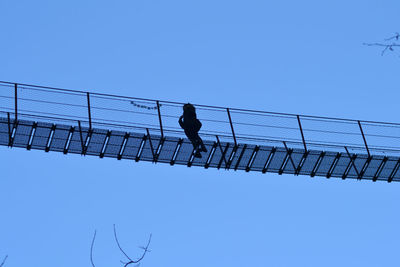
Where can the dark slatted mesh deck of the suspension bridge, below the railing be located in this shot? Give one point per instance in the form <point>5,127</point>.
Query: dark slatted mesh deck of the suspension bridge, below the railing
<point>173,150</point>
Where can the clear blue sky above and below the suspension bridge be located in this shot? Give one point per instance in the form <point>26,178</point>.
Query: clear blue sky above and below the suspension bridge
<point>285,56</point>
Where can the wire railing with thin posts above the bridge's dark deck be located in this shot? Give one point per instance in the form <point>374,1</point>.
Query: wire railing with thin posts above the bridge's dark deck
<point>32,102</point>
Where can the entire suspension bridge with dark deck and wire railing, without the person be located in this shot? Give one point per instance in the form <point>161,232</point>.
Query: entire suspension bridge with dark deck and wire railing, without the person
<point>138,129</point>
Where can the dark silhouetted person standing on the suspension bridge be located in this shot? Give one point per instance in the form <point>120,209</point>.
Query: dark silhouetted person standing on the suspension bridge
<point>189,122</point>
